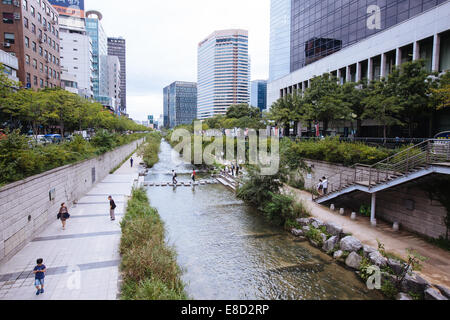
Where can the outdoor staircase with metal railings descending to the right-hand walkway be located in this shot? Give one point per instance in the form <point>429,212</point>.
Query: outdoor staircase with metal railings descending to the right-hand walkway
<point>431,156</point>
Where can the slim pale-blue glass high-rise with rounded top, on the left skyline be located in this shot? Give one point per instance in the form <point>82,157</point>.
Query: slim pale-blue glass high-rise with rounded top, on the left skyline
<point>99,52</point>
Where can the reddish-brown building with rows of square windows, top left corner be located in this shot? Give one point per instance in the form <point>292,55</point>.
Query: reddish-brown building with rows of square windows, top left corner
<point>30,32</point>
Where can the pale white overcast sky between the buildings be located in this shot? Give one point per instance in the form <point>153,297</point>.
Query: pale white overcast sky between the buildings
<point>162,38</point>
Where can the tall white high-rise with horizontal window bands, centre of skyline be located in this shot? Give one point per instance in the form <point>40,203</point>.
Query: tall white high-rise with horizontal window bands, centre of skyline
<point>223,72</point>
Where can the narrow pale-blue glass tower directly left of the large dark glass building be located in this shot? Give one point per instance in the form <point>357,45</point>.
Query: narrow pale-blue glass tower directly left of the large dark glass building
<point>280,35</point>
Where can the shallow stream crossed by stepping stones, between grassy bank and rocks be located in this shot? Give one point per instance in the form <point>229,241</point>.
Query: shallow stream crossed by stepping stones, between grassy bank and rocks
<point>227,250</point>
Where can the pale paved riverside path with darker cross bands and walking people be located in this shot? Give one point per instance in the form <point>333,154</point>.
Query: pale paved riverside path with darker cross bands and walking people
<point>83,260</point>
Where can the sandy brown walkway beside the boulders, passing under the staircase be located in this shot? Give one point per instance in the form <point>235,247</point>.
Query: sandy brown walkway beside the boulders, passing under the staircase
<point>436,269</point>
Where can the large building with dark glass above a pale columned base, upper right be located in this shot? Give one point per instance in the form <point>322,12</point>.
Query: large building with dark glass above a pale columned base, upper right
<point>355,40</point>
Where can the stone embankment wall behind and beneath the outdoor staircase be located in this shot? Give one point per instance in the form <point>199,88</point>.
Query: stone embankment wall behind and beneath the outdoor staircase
<point>407,204</point>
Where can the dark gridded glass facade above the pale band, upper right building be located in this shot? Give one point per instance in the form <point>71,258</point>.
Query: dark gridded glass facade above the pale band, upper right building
<point>322,27</point>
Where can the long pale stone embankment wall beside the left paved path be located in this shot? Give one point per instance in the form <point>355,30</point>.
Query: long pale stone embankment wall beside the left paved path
<point>29,205</point>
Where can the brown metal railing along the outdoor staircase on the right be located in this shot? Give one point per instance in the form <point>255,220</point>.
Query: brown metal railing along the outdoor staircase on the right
<point>404,163</point>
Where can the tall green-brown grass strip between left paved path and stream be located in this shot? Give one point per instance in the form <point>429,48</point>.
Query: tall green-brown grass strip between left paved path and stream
<point>149,267</point>
